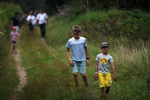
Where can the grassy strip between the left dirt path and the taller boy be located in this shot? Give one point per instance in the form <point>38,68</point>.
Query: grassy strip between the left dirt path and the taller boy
<point>49,76</point>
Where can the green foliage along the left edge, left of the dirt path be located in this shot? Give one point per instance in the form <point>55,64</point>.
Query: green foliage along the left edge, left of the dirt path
<point>8,77</point>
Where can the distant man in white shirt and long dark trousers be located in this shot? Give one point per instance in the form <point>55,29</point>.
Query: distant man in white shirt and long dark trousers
<point>42,19</point>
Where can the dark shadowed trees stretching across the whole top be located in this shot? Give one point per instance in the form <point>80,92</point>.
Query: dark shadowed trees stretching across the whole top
<point>51,6</point>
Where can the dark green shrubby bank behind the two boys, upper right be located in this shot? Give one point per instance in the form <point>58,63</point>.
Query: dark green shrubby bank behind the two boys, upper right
<point>132,24</point>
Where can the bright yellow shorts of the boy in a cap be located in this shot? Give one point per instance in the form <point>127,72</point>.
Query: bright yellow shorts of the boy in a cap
<point>104,79</point>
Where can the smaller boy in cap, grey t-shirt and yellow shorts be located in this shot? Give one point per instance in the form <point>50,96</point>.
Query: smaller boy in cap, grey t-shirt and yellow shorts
<point>102,69</point>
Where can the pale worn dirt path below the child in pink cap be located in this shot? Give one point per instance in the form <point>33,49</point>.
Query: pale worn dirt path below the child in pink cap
<point>22,75</point>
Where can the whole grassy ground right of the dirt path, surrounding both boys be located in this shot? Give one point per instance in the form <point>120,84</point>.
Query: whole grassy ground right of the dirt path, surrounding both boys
<point>50,77</point>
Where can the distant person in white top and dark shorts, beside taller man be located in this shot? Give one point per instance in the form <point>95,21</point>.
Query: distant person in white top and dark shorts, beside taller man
<point>31,21</point>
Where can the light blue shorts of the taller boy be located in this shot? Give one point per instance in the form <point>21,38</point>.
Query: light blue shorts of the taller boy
<point>81,65</point>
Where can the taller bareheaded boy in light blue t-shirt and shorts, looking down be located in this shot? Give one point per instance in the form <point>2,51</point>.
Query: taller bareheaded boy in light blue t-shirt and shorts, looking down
<point>78,46</point>
